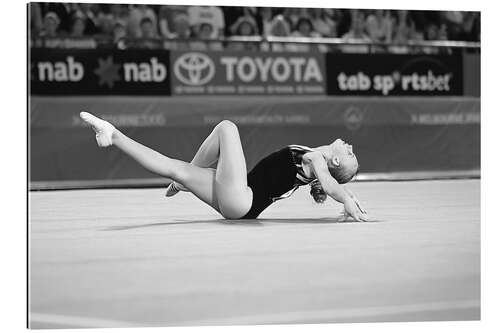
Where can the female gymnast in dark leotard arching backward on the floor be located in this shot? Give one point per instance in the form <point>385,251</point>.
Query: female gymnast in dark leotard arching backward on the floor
<point>228,188</point>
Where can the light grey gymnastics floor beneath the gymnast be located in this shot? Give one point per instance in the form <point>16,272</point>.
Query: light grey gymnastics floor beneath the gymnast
<point>117,258</point>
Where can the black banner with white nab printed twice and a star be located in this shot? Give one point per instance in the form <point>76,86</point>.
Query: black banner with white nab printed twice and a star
<point>99,72</point>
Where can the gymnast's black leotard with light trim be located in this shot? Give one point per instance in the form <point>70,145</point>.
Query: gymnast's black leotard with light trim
<point>276,177</point>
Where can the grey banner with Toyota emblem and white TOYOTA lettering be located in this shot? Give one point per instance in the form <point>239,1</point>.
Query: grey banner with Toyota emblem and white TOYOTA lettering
<point>228,73</point>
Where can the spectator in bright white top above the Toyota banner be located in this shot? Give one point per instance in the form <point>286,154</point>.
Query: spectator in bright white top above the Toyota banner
<point>203,15</point>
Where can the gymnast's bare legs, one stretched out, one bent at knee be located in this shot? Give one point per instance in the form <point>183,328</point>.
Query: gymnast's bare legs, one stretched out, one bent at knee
<point>225,188</point>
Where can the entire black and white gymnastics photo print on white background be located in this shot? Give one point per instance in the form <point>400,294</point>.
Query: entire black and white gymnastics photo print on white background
<point>214,165</point>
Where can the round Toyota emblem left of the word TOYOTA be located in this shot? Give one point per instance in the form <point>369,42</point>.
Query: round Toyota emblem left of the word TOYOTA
<point>194,68</point>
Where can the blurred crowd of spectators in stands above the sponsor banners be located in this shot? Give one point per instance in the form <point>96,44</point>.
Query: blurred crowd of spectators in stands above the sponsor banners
<point>201,27</point>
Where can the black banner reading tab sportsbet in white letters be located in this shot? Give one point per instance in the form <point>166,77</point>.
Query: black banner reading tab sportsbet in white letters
<point>394,75</point>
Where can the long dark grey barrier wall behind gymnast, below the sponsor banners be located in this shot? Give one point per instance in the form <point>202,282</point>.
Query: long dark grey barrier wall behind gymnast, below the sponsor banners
<point>389,134</point>
